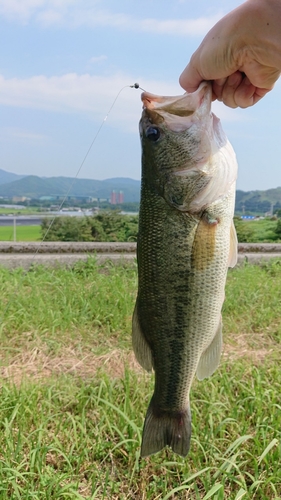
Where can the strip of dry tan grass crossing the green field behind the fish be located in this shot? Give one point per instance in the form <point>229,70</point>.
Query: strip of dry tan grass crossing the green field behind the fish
<point>36,364</point>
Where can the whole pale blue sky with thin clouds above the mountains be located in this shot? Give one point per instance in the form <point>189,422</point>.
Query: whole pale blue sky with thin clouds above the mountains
<point>63,62</point>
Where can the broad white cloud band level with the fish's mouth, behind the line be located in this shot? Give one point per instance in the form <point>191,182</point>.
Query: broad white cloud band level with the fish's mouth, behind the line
<point>90,95</point>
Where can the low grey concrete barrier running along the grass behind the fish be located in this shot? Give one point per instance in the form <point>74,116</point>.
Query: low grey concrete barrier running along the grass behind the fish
<point>16,254</point>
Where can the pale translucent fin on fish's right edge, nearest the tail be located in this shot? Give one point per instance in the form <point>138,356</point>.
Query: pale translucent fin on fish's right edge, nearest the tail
<point>210,358</point>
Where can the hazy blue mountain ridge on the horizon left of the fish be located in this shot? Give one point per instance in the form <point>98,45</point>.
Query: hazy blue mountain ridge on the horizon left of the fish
<point>32,186</point>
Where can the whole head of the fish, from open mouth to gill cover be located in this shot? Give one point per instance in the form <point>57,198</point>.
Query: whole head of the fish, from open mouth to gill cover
<point>180,139</point>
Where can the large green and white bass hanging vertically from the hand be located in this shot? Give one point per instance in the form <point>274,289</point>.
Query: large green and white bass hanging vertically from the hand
<point>186,242</point>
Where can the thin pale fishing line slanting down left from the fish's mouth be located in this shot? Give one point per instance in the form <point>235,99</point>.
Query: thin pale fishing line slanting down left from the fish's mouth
<point>135,86</point>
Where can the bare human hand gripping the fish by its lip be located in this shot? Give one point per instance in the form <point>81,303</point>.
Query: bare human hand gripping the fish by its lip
<point>241,54</point>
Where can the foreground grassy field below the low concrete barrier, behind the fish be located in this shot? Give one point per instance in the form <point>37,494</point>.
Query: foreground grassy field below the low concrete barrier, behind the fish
<point>73,399</point>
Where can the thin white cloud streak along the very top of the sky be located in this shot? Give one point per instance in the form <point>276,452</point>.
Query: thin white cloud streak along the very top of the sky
<point>78,13</point>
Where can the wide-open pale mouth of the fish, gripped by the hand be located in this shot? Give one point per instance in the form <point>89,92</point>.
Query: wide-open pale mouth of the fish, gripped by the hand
<point>178,112</point>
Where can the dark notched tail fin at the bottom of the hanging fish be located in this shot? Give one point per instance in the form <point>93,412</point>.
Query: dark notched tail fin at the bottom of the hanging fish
<point>163,428</point>
